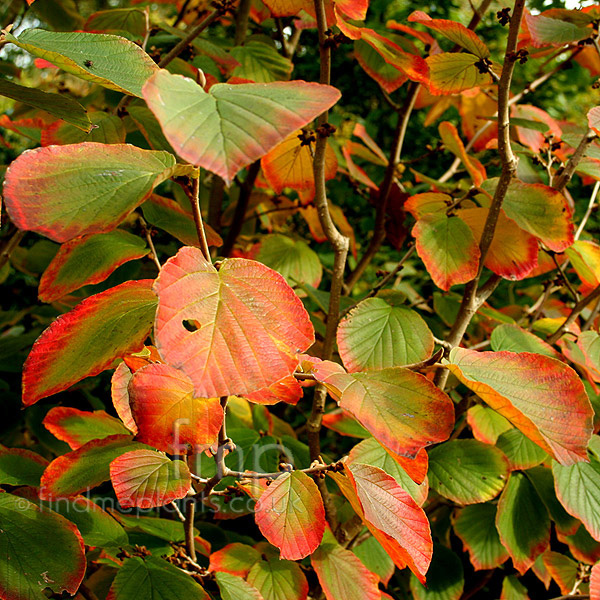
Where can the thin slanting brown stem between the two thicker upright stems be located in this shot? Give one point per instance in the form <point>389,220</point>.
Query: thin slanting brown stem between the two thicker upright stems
<point>386,187</point>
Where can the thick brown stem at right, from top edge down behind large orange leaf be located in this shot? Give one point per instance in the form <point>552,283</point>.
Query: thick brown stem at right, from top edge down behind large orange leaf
<point>472,298</point>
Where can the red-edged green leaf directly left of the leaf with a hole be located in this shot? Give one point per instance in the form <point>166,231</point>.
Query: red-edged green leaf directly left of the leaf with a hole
<point>86,340</point>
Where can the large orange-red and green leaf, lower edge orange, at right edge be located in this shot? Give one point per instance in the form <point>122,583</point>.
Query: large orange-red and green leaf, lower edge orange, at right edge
<point>541,396</point>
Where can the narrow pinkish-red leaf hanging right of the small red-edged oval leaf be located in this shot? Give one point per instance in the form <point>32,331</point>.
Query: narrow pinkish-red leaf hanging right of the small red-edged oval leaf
<point>390,509</point>
